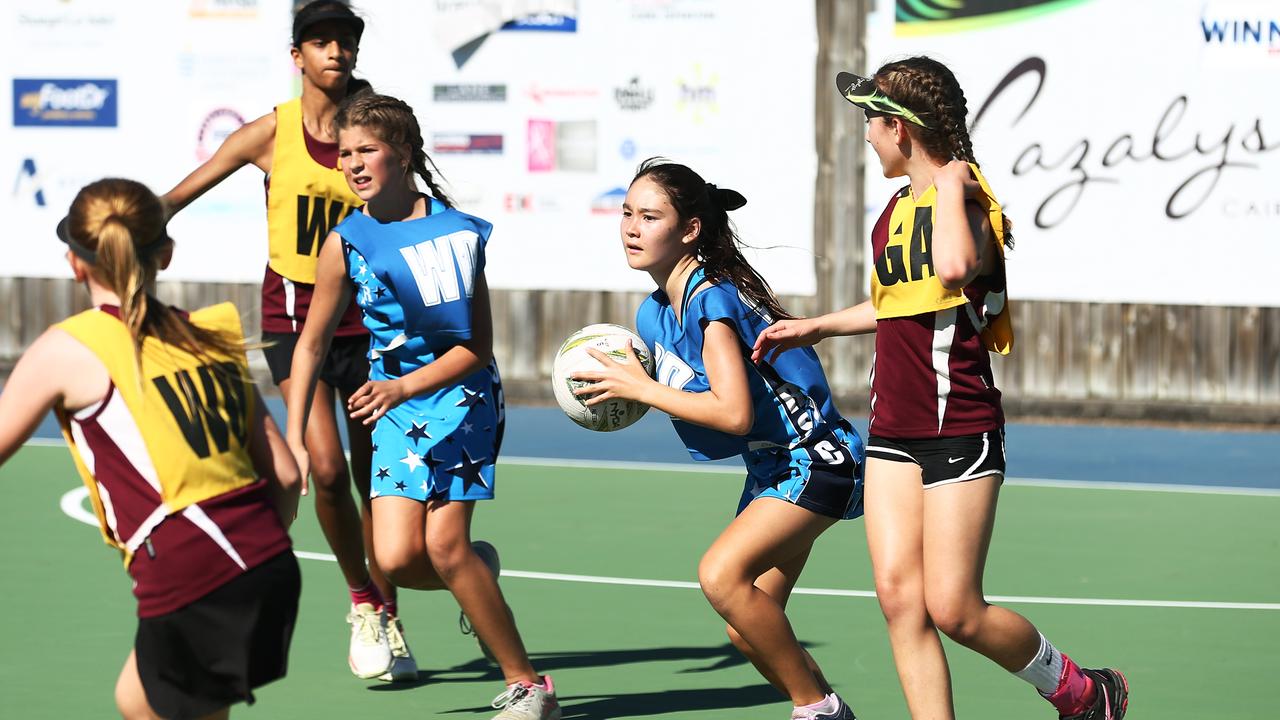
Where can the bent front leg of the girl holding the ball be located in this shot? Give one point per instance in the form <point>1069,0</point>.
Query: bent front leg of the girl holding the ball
<point>766,535</point>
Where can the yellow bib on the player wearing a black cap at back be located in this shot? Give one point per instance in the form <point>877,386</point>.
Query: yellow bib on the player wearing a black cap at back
<point>304,199</point>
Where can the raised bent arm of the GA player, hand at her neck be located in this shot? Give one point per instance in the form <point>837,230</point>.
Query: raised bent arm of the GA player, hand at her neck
<point>962,231</point>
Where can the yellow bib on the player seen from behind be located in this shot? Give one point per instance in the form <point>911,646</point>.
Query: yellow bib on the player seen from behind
<point>194,416</point>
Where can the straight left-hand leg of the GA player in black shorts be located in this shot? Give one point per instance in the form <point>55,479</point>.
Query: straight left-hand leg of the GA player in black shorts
<point>894,502</point>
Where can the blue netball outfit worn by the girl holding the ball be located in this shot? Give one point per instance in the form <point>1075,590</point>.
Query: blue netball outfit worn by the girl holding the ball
<point>799,448</point>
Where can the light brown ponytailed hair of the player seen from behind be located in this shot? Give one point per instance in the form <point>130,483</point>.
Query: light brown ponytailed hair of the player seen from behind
<point>124,224</point>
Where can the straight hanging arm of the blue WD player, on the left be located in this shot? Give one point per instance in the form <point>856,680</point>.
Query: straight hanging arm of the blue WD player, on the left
<point>328,303</point>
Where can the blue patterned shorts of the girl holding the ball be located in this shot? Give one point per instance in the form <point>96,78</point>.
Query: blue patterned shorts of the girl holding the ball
<point>824,476</point>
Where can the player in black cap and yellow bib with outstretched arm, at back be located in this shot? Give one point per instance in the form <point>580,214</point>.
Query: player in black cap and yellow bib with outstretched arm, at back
<point>307,195</point>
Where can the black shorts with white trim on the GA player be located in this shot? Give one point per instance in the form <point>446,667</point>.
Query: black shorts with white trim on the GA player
<point>947,461</point>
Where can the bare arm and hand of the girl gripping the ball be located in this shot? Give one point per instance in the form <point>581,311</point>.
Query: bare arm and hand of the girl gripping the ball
<point>726,407</point>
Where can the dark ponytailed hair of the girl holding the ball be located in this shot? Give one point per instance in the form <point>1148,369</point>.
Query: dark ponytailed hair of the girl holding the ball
<point>717,247</point>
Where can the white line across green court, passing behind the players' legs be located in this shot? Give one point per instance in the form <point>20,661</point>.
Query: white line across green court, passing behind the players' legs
<point>74,505</point>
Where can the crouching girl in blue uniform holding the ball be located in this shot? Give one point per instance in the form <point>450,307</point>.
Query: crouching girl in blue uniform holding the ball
<point>803,459</point>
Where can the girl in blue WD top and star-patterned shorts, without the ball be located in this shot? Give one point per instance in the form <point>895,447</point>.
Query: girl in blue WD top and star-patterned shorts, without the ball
<point>415,267</point>
